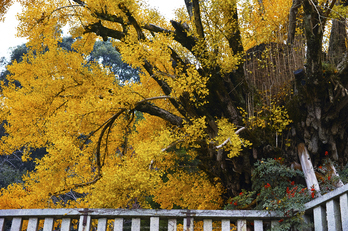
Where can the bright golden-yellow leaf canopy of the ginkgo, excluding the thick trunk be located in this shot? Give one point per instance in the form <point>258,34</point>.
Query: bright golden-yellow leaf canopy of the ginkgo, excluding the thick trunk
<point>89,121</point>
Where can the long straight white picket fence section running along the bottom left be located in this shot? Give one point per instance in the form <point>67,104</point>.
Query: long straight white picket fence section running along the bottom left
<point>64,217</point>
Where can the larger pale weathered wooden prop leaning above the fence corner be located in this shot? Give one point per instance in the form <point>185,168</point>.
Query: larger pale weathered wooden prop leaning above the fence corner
<point>307,168</point>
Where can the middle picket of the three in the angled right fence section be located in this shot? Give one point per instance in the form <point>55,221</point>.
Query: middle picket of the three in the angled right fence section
<point>333,215</point>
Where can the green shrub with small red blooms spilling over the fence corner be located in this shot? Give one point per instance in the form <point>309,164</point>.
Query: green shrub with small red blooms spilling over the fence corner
<point>275,188</point>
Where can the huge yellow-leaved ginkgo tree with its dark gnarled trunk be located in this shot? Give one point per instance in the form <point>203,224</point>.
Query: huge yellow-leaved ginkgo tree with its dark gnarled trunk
<point>217,92</point>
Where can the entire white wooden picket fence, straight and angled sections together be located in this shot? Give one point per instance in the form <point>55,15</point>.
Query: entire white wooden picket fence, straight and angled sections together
<point>328,212</point>
